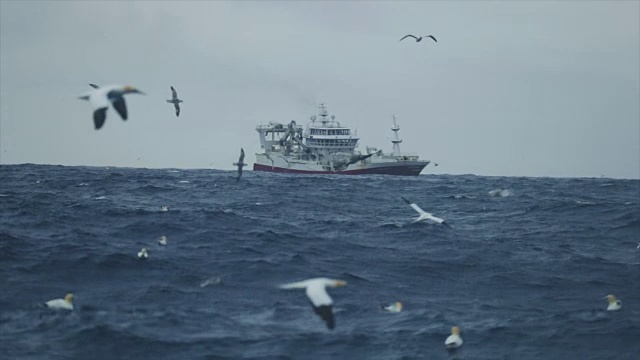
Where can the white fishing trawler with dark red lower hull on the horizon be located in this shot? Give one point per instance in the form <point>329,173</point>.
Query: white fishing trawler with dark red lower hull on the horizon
<point>327,147</point>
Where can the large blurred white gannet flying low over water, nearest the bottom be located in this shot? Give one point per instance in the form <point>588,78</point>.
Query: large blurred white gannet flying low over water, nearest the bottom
<point>317,294</point>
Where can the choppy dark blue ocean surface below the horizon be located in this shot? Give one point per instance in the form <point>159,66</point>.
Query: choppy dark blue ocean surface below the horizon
<point>523,271</point>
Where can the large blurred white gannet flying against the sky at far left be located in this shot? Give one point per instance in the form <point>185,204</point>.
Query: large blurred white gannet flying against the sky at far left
<point>101,97</point>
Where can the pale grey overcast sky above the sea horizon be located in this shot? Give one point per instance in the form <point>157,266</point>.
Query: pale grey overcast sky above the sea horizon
<point>511,88</point>
